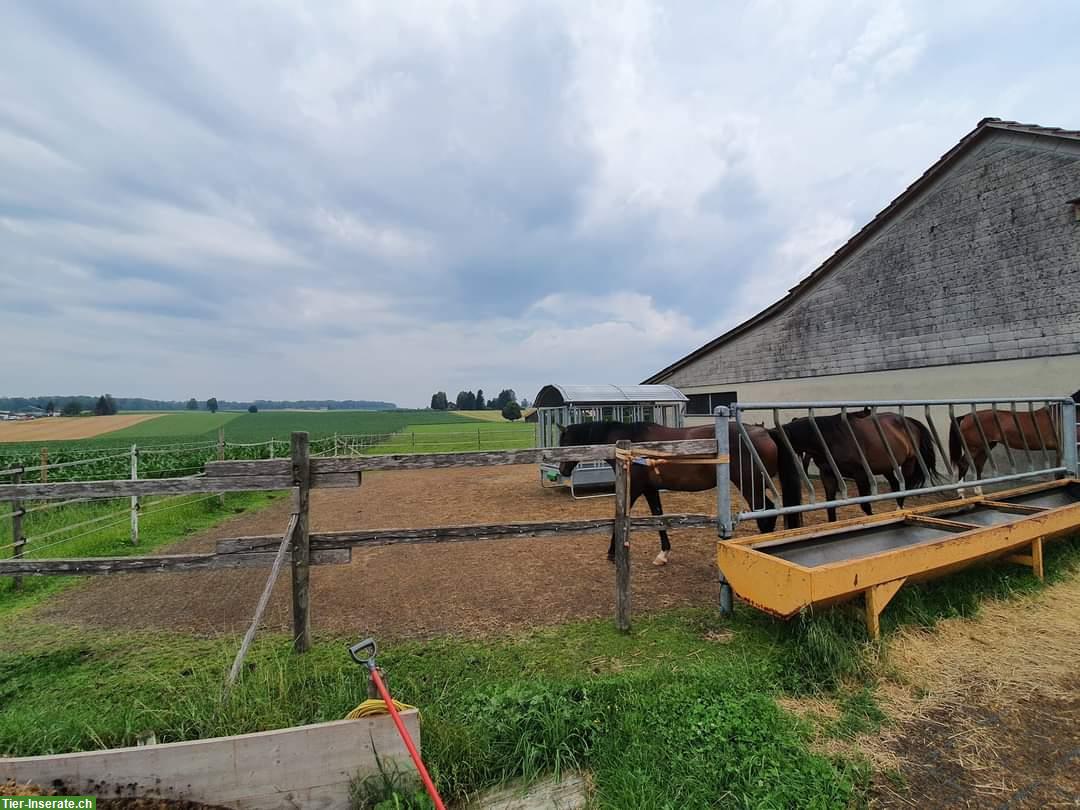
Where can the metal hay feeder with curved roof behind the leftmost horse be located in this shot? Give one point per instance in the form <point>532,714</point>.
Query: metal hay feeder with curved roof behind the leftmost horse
<point>559,407</point>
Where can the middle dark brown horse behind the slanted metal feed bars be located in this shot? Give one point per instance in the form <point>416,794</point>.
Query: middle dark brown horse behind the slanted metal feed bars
<point>841,444</point>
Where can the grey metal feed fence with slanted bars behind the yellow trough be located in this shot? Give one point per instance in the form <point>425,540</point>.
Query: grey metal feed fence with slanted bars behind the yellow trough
<point>859,441</point>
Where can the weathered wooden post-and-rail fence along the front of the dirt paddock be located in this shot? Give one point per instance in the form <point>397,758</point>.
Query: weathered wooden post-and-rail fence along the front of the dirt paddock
<point>302,472</point>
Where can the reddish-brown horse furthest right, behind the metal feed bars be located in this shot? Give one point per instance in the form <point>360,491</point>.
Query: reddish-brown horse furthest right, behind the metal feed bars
<point>1032,430</point>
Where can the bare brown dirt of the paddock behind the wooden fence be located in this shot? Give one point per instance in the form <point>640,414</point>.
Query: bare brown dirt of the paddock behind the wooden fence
<point>418,591</point>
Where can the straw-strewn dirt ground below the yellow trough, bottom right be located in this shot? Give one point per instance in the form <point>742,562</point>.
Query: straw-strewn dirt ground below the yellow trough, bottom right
<point>988,711</point>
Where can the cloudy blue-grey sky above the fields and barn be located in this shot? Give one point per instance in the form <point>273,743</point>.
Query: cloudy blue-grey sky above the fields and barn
<point>376,200</point>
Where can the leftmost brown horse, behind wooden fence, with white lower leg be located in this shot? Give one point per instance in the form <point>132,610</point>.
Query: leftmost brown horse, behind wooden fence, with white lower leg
<point>650,480</point>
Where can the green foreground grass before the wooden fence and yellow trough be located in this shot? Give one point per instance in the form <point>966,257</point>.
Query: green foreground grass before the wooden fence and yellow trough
<point>683,713</point>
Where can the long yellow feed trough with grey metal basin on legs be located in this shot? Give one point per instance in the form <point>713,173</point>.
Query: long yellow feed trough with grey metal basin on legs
<point>787,572</point>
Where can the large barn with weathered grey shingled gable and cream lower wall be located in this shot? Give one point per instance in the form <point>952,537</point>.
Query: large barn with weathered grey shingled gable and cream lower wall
<point>967,285</point>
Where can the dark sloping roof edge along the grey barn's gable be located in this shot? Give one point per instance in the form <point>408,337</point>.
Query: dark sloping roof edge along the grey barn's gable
<point>983,130</point>
